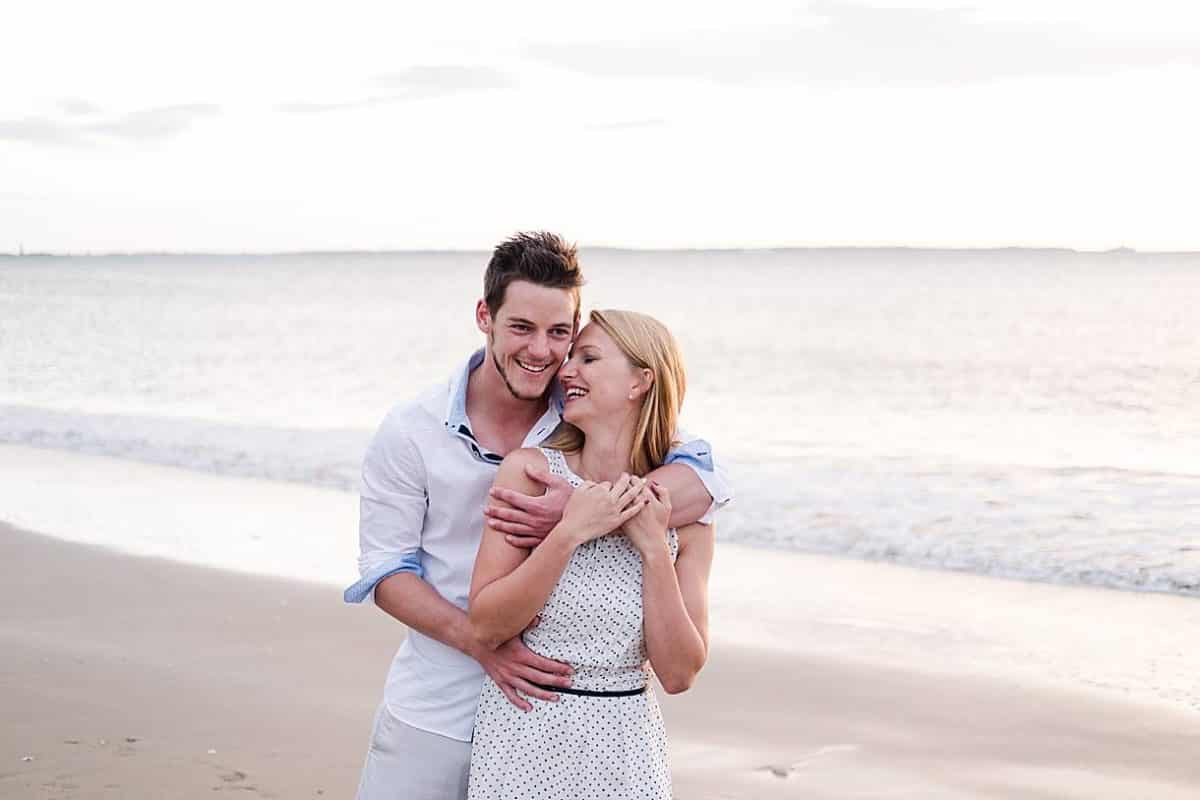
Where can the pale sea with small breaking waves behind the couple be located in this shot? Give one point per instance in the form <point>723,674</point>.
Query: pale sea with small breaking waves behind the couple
<point>1023,413</point>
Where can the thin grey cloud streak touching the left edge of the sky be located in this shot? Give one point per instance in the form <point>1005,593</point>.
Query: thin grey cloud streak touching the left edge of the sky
<point>148,125</point>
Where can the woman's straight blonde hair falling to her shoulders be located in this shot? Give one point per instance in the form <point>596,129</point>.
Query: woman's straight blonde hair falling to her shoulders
<point>649,345</point>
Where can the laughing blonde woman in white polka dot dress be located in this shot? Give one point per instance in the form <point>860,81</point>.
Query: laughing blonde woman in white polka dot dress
<point>611,587</point>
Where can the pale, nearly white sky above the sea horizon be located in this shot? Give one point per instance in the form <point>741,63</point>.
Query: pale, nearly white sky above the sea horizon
<point>271,127</point>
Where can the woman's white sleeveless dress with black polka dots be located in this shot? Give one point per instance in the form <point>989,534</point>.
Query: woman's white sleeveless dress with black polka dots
<point>580,748</point>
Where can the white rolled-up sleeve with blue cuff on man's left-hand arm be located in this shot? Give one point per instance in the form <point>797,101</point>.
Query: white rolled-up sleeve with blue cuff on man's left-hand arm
<point>392,510</point>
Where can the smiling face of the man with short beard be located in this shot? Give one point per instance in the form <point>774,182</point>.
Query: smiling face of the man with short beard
<point>530,336</point>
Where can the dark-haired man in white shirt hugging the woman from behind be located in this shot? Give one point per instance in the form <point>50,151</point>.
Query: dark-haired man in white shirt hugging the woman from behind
<point>425,488</point>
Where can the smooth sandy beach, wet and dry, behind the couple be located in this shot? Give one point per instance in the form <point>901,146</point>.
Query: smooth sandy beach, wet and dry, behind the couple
<point>129,677</point>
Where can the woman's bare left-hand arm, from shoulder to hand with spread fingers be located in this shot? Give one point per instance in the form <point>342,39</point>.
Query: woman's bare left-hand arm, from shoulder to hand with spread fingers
<point>511,585</point>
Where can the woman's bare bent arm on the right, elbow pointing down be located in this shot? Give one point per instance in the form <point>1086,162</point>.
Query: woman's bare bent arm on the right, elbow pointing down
<point>675,607</point>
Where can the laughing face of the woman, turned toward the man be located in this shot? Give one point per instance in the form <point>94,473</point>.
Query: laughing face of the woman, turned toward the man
<point>597,380</point>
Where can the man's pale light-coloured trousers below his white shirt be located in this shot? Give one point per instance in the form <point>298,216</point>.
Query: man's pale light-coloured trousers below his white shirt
<point>406,763</point>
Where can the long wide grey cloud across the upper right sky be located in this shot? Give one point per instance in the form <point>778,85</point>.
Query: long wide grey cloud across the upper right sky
<point>843,44</point>
